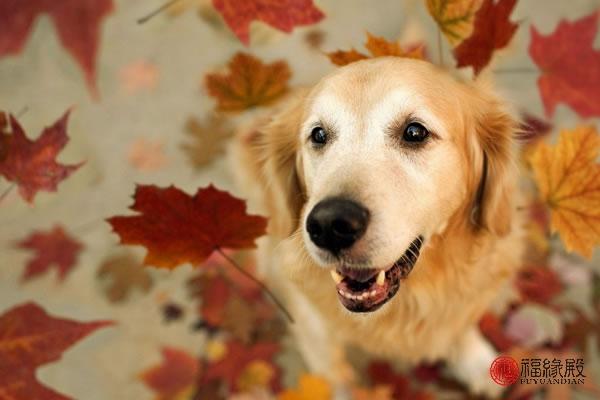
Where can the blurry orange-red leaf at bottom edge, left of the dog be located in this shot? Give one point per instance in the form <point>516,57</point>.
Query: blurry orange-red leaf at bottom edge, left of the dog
<point>174,377</point>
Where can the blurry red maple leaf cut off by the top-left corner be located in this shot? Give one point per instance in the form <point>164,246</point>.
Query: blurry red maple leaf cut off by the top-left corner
<point>77,22</point>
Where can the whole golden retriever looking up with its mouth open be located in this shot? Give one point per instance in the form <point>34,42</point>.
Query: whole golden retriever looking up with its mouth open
<point>390,187</point>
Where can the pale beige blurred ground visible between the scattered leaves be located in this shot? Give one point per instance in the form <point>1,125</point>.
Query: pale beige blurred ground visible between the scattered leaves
<point>46,80</point>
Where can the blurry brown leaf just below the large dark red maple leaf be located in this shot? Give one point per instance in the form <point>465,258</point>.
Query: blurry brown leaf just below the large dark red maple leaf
<point>122,274</point>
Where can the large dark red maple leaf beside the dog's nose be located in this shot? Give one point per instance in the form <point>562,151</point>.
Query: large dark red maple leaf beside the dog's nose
<point>177,228</point>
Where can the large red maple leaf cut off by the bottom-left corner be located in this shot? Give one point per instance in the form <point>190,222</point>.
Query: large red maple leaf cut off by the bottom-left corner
<point>29,337</point>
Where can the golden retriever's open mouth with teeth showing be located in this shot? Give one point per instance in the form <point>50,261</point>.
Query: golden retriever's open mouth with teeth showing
<point>367,289</point>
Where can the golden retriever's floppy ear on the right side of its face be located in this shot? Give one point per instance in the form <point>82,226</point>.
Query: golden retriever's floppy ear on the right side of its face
<point>495,128</point>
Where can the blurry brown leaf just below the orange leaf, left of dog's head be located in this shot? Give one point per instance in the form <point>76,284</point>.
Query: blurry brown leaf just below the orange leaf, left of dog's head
<point>207,140</point>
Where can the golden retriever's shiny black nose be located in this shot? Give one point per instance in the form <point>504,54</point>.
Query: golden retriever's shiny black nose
<point>336,223</point>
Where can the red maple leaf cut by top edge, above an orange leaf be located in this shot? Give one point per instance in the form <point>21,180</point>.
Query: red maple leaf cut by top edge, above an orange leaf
<point>283,15</point>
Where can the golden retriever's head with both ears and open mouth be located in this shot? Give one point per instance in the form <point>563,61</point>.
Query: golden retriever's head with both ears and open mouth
<point>378,158</point>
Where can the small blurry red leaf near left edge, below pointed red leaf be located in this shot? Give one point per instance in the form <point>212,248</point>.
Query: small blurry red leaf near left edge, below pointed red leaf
<point>52,248</point>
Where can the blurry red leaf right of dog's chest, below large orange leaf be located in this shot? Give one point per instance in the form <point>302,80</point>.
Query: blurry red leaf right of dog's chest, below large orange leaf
<point>538,284</point>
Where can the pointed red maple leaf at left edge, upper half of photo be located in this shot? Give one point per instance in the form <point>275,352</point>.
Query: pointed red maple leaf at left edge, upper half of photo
<point>32,164</point>
